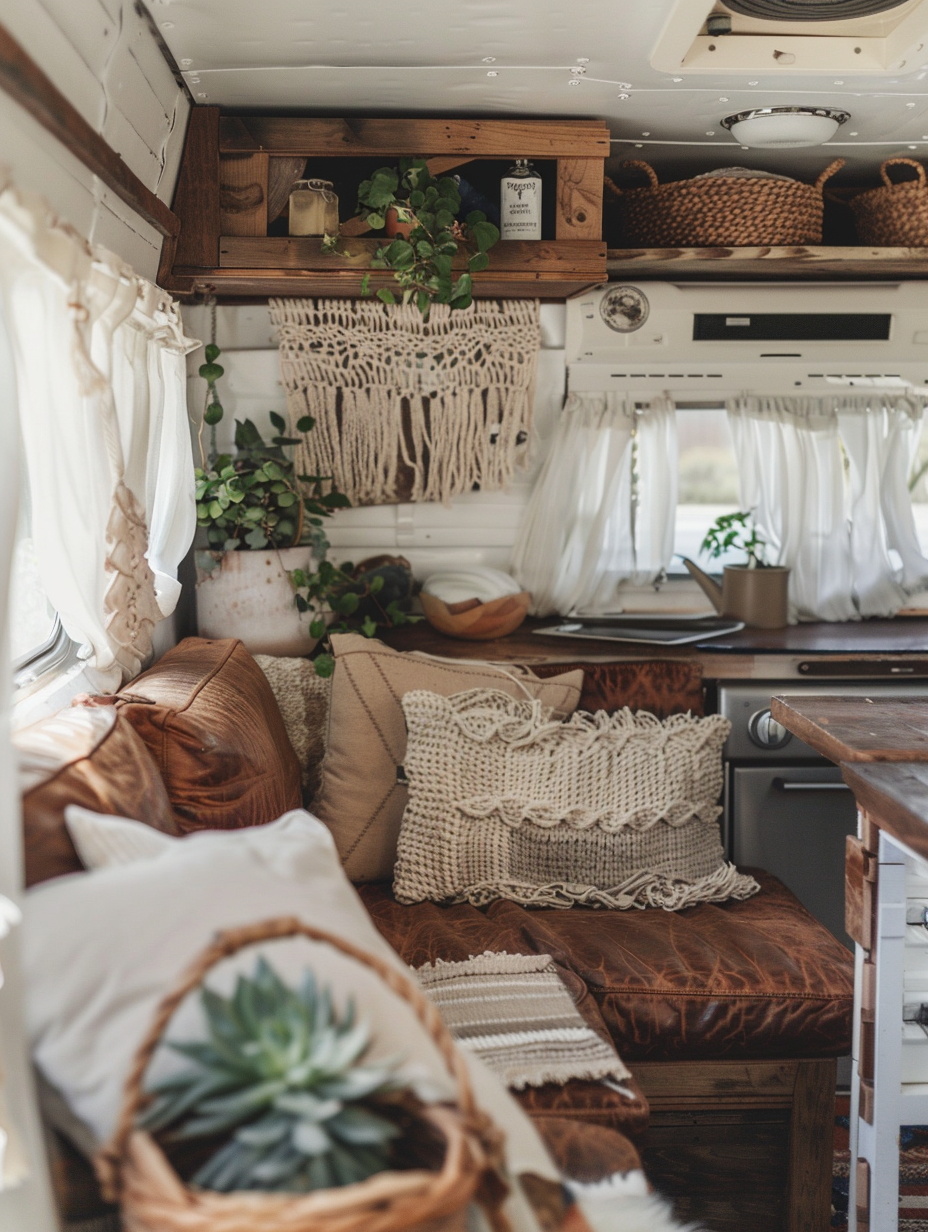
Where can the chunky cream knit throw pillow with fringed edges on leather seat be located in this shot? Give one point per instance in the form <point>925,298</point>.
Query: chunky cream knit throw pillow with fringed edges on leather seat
<point>611,811</point>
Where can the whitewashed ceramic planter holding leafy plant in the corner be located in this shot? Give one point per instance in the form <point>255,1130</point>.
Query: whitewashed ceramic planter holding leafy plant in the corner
<point>248,596</point>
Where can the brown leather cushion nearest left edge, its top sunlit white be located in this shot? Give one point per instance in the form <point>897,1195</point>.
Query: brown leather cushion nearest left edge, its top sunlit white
<point>86,756</point>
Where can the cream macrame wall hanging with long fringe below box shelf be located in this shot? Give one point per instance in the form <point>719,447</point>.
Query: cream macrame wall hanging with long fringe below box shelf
<point>406,410</point>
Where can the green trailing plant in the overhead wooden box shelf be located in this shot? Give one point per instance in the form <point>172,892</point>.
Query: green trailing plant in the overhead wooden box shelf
<point>423,264</point>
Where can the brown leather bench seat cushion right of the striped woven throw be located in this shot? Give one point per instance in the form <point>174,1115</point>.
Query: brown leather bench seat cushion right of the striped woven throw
<point>760,979</point>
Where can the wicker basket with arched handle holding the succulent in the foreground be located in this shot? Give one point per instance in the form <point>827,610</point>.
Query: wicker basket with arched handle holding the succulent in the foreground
<point>135,1171</point>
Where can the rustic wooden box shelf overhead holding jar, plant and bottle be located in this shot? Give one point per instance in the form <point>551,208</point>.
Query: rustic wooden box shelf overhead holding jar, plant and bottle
<point>236,177</point>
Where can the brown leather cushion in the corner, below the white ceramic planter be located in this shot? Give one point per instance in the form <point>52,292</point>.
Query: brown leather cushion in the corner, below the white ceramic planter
<point>209,718</point>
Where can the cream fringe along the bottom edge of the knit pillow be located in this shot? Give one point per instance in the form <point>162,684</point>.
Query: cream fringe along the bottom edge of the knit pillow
<point>641,890</point>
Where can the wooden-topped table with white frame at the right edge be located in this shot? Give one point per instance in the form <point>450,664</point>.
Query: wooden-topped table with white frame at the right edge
<point>882,746</point>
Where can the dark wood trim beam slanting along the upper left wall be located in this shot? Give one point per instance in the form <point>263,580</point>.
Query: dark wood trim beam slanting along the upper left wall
<point>28,86</point>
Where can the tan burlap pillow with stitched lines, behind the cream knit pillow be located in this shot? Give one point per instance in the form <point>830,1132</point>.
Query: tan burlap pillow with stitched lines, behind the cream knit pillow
<point>360,799</point>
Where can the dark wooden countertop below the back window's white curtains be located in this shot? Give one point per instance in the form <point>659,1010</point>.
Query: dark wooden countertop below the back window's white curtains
<point>791,654</point>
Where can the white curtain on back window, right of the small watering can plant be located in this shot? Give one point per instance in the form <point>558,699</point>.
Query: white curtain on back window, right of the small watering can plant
<point>828,482</point>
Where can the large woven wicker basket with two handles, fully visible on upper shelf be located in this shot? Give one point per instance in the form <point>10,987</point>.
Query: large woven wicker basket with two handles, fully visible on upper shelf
<point>722,211</point>
